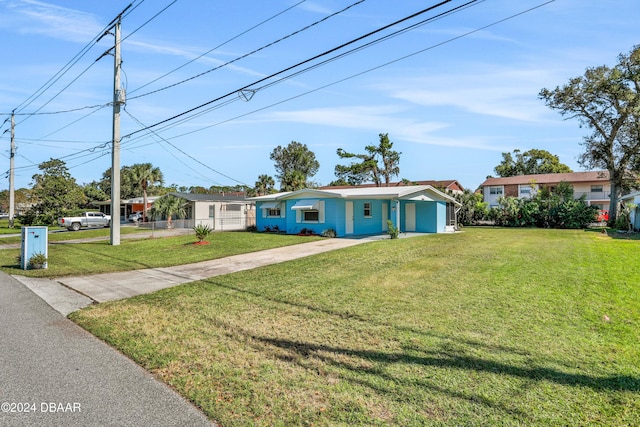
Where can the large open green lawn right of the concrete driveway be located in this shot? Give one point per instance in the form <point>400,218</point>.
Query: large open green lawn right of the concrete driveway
<point>485,327</point>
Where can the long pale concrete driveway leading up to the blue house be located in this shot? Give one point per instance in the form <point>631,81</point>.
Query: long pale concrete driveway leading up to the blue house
<point>68,294</point>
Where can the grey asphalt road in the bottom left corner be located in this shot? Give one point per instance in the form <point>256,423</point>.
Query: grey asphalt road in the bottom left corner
<point>53,373</point>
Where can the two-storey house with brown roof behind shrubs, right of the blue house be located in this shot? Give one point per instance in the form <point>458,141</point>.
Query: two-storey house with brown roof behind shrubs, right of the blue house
<point>593,185</point>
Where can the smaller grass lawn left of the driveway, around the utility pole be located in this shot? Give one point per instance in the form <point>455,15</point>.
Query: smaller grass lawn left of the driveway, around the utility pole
<point>131,254</point>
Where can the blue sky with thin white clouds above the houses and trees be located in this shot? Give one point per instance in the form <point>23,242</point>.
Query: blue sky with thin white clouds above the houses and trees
<point>452,94</point>
